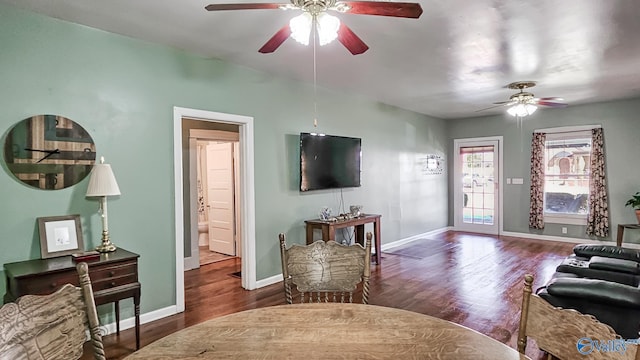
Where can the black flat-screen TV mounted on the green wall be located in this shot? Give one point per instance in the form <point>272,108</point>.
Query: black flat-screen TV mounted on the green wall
<point>329,162</point>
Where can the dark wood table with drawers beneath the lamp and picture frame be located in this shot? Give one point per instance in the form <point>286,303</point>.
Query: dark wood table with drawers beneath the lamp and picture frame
<point>114,277</point>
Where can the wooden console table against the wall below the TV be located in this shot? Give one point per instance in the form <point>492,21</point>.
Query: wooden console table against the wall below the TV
<point>329,229</point>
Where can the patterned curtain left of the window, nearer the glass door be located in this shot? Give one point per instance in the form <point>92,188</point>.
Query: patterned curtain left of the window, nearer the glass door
<point>536,203</point>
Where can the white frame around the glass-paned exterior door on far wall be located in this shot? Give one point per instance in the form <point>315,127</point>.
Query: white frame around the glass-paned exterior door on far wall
<point>457,179</point>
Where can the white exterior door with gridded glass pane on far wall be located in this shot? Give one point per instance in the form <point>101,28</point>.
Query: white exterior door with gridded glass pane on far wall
<point>478,184</point>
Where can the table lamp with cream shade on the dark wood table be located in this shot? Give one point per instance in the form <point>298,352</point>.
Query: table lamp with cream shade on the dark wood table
<point>102,183</point>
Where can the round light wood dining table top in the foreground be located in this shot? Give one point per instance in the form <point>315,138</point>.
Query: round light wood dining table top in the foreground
<point>326,331</point>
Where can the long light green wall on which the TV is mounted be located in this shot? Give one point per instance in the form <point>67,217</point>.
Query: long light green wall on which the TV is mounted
<point>123,92</point>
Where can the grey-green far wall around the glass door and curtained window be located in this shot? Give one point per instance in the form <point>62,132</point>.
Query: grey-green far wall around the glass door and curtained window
<point>619,120</point>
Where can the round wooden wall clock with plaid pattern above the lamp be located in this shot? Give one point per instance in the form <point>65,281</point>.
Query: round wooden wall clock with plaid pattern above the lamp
<point>49,152</point>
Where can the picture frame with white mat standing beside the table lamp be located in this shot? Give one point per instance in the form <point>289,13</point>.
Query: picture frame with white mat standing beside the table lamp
<point>60,235</point>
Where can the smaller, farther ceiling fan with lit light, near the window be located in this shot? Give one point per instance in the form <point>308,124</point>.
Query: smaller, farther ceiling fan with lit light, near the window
<point>524,103</point>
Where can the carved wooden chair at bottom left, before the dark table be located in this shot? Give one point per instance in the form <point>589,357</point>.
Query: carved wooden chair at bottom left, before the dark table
<point>52,327</point>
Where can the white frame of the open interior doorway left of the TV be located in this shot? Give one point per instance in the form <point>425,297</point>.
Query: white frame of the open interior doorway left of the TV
<point>247,186</point>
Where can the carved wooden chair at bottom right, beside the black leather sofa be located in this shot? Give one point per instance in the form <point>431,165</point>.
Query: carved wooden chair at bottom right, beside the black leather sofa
<point>567,334</point>
